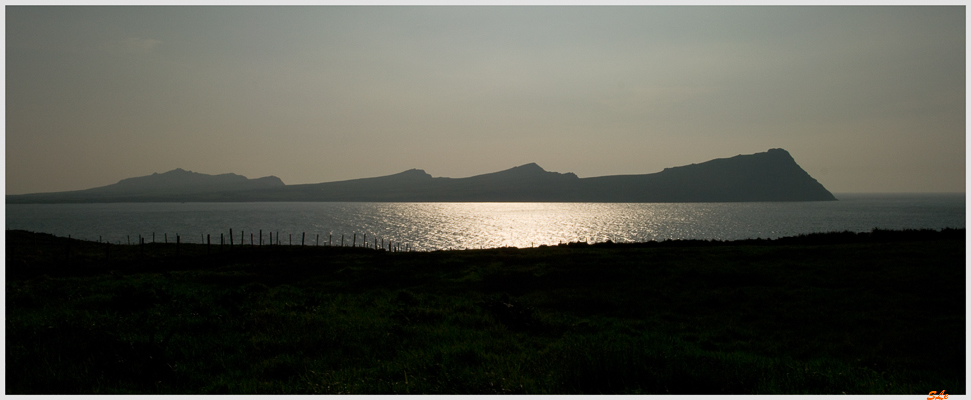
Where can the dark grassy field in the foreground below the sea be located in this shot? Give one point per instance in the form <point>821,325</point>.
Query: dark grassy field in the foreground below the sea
<point>880,312</point>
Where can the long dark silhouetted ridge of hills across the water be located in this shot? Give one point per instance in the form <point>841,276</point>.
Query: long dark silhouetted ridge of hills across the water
<point>768,176</point>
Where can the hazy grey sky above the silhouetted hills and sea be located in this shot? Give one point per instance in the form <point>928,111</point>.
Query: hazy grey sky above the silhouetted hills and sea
<point>866,99</point>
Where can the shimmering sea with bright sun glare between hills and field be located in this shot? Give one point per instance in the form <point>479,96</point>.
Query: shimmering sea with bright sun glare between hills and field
<point>432,226</point>
